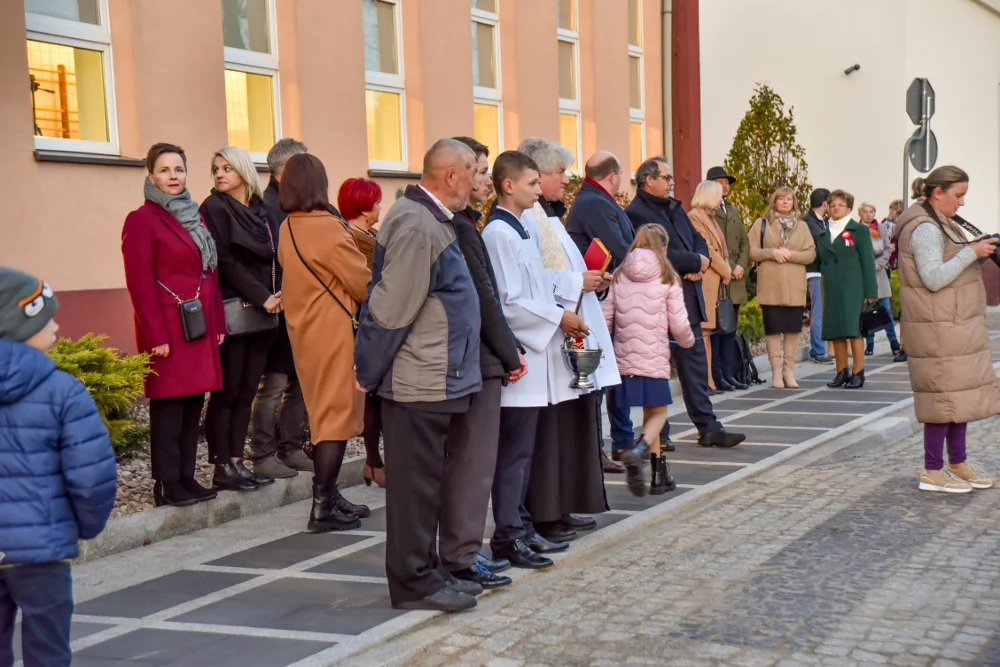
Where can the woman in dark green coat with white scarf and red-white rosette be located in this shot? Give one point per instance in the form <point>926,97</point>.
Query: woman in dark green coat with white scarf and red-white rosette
<point>848,268</point>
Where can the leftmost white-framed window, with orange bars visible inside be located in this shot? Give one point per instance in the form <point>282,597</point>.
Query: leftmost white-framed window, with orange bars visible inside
<point>69,67</point>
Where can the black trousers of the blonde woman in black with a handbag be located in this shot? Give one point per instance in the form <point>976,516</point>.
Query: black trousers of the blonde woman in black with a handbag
<point>228,416</point>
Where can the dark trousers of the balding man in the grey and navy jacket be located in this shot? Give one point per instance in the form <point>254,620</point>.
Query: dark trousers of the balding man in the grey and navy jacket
<point>416,443</point>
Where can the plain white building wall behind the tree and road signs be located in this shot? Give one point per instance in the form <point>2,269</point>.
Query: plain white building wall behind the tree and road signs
<point>853,127</point>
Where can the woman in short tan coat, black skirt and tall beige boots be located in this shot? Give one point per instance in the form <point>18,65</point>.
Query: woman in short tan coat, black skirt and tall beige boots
<point>781,260</point>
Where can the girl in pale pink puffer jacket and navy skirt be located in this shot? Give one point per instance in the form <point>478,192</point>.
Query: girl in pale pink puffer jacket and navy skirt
<point>645,305</point>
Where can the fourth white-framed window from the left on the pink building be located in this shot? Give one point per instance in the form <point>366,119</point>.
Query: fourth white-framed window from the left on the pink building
<point>488,123</point>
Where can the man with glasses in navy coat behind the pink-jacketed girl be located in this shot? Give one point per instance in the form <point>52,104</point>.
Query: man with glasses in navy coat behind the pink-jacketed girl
<point>688,253</point>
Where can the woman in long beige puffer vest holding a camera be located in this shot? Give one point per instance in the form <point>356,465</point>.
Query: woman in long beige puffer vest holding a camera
<point>944,308</point>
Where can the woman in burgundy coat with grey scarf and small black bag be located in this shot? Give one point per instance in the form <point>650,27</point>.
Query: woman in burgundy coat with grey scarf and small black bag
<point>170,257</point>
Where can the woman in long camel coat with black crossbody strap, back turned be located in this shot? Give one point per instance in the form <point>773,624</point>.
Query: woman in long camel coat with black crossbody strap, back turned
<point>325,278</point>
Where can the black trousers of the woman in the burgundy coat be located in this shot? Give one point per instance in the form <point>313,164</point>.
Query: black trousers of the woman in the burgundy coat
<point>173,436</point>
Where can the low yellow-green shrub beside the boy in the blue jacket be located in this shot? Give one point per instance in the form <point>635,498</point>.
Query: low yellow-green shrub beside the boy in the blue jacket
<point>115,382</point>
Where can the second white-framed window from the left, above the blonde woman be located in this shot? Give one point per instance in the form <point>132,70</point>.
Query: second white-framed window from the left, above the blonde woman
<point>252,103</point>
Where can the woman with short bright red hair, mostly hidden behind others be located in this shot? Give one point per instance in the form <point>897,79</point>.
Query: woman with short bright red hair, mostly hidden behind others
<point>359,201</point>
